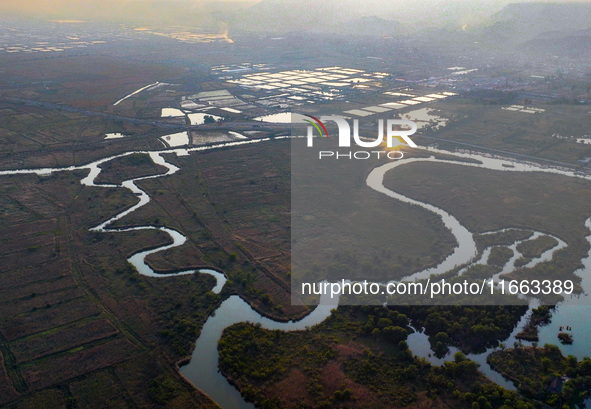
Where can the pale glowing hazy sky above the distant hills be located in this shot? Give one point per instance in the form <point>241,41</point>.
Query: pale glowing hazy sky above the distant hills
<point>413,14</point>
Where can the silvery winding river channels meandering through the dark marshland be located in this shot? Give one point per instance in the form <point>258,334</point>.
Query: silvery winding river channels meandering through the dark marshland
<point>202,370</point>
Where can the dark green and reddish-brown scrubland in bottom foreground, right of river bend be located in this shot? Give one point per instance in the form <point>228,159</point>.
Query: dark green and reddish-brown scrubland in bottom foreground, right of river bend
<point>357,358</point>
